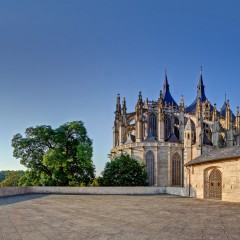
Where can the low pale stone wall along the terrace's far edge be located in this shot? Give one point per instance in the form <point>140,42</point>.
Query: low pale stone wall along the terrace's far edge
<point>10,191</point>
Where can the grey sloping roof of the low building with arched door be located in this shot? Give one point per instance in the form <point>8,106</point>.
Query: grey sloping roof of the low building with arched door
<point>217,155</point>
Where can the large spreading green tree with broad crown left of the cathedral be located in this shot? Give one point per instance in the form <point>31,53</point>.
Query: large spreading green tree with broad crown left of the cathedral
<point>55,157</point>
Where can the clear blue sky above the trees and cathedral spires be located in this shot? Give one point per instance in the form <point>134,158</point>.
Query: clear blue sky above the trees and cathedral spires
<point>67,60</point>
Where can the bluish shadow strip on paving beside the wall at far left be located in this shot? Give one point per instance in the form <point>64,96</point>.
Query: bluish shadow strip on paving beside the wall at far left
<point>20,198</point>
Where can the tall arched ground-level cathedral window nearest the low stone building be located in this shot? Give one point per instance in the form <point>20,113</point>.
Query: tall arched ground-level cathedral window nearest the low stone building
<point>176,170</point>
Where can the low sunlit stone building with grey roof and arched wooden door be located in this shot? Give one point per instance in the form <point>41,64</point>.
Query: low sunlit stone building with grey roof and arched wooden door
<point>216,175</point>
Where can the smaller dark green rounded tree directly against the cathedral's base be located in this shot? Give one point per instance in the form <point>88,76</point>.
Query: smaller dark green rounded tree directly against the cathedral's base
<point>124,171</point>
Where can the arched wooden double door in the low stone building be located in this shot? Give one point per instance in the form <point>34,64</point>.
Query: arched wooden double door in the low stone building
<point>213,185</point>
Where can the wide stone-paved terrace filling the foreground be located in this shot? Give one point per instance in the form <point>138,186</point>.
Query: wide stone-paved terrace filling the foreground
<point>110,217</point>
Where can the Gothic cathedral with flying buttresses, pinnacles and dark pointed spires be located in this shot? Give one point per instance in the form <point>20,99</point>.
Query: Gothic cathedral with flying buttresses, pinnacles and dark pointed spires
<point>165,135</point>
